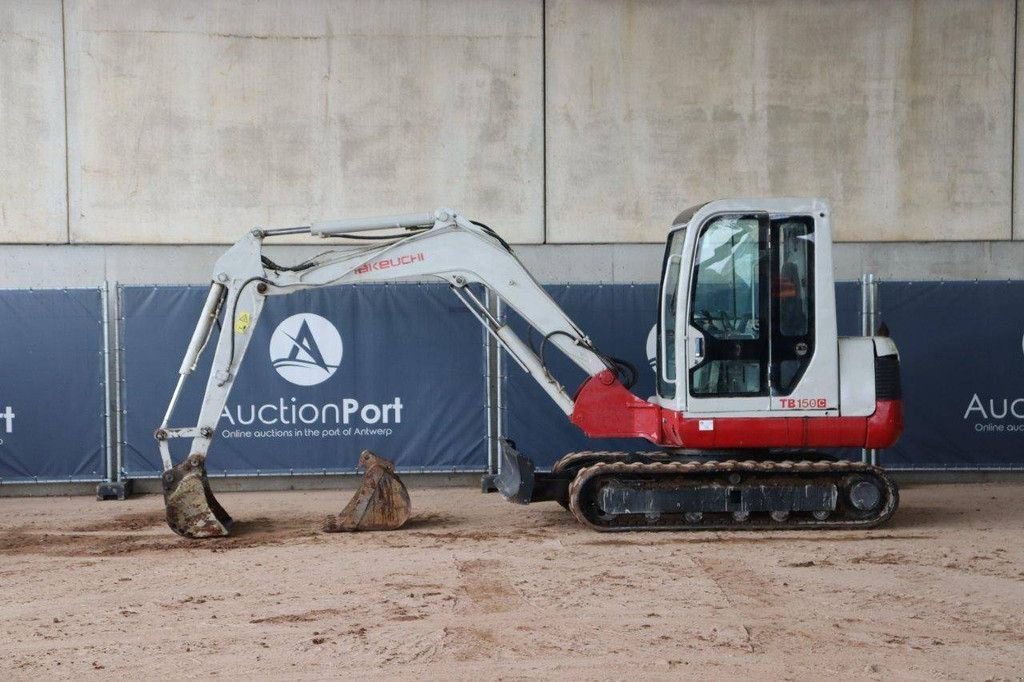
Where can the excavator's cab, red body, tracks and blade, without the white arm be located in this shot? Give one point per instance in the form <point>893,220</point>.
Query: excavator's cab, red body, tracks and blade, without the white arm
<point>754,390</point>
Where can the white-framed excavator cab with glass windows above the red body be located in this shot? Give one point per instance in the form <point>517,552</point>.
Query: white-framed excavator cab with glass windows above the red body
<point>742,328</point>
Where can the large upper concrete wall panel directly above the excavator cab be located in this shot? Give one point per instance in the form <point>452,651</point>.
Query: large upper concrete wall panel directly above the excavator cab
<point>900,112</point>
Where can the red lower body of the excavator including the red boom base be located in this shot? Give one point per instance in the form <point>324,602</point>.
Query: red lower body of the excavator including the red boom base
<point>606,409</point>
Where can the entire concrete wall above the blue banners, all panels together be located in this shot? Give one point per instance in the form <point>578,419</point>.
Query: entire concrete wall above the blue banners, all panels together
<point>558,122</point>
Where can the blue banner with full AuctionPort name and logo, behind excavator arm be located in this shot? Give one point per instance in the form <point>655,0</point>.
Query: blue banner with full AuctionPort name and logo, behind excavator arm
<point>399,369</point>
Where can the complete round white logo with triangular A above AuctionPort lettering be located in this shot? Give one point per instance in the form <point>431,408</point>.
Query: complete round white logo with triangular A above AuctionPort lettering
<point>306,350</point>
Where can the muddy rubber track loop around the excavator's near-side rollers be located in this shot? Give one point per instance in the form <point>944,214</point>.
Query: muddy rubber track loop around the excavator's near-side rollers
<point>673,470</point>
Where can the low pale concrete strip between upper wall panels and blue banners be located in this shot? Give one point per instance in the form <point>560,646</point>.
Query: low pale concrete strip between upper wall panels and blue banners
<point>90,266</point>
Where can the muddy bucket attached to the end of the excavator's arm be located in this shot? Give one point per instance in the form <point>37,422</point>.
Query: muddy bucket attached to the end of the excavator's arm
<point>192,509</point>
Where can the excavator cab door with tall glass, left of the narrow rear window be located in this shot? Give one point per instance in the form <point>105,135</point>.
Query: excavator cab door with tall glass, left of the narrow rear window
<point>729,318</point>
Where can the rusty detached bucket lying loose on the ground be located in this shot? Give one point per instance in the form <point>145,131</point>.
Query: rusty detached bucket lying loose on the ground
<point>380,504</point>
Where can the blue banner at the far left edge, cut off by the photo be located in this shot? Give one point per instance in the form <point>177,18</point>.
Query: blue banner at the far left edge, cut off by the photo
<point>53,394</point>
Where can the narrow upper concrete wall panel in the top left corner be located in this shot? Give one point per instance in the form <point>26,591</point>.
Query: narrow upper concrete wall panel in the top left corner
<point>33,160</point>
